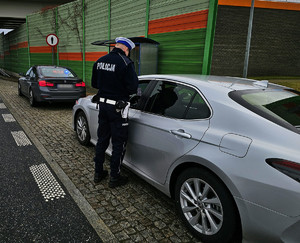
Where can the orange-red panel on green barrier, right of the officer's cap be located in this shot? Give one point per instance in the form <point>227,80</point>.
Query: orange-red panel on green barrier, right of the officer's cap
<point>194,20</point>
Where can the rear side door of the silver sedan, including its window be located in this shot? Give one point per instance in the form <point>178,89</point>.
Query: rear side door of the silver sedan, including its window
<point>167,129</point>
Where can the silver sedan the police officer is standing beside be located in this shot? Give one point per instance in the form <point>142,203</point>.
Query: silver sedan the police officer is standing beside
<point>226,149</point>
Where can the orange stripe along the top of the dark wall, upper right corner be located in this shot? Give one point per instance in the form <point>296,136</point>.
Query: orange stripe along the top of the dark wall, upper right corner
<point>261,4</point>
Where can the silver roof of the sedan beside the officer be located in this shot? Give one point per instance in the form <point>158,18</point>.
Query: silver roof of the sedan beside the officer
<point>228,83</point>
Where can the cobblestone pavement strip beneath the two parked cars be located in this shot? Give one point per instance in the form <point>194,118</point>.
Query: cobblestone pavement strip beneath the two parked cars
<point>136,212</point>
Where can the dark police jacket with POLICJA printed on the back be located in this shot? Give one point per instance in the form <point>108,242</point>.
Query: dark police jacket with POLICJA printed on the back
<point>114,76</point>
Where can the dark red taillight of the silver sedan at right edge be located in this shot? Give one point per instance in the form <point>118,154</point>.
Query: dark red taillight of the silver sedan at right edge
<point>287,167</point>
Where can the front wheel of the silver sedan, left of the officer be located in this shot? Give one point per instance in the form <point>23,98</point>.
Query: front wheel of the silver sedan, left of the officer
<point>82,129</point>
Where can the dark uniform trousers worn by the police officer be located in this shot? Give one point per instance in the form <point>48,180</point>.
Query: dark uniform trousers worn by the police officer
<point>111,125</point>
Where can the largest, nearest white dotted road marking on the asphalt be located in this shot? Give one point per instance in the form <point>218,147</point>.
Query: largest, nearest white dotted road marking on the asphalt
<point>46,182</point>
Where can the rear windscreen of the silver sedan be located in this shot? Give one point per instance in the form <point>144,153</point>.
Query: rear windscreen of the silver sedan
<point>279,106</point>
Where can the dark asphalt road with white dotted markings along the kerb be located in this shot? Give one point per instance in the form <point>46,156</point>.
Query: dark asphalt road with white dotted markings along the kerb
<point>35,205</point>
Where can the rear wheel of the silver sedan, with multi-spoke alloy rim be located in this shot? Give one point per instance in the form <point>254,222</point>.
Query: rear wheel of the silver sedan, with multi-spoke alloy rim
<point>206,206</point>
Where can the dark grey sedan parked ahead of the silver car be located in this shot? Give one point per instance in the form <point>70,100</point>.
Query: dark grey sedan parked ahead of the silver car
<point>50,83</point>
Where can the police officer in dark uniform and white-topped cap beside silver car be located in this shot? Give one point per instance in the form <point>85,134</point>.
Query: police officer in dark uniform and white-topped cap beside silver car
<point>115,78</point>
